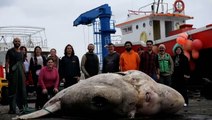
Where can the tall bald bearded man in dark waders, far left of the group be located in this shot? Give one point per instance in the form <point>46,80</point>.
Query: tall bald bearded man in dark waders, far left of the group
<point>16,78</point>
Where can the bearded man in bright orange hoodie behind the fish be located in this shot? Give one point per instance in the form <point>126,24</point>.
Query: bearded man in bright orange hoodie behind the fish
<point>129,59</point>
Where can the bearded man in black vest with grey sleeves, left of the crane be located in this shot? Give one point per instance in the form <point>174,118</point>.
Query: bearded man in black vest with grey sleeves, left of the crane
<point>90,62</point>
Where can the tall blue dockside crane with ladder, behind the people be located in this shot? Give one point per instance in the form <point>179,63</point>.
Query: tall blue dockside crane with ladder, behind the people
<point>103,13</point>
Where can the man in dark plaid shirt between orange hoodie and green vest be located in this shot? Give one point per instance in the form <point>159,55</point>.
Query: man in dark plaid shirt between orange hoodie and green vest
<point>149,62</point>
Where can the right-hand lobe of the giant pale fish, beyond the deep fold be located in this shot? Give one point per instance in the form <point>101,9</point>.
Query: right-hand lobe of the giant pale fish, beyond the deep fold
<point>154,97</point>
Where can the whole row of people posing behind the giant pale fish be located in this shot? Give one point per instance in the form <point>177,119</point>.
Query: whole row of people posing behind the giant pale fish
<point>46,79</point>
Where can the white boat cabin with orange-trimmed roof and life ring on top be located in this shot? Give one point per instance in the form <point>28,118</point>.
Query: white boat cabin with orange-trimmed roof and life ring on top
<point>158,24</point>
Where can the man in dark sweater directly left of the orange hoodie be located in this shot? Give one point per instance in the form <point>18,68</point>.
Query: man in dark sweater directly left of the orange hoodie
<point>111,60</point>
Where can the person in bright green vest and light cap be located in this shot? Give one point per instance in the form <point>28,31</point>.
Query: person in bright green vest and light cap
<point>166,65</point>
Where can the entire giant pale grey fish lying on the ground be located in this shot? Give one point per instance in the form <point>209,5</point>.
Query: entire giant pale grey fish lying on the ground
<point>123,94</point>
